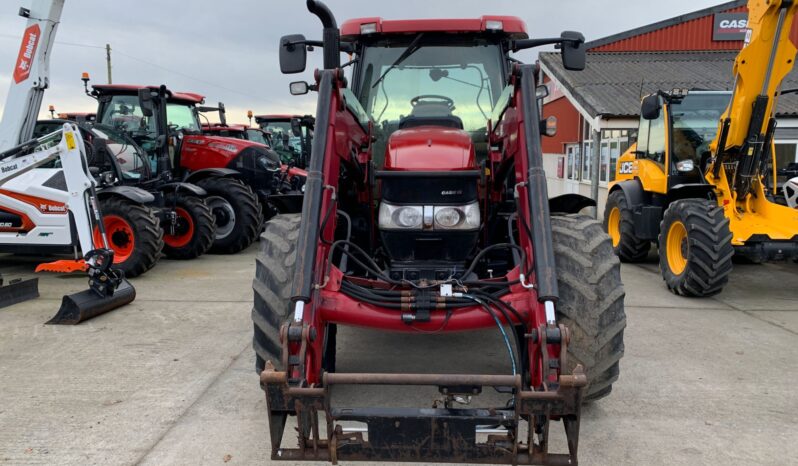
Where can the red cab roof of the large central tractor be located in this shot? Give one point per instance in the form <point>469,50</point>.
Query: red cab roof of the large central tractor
<point>512,26</point>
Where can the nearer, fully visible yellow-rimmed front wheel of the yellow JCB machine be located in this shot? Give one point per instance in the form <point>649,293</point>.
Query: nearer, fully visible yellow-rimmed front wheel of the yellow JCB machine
<point>695,250</point>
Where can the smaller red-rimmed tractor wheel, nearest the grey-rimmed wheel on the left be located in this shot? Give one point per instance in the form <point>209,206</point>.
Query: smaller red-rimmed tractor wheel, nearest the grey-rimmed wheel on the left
<point>196,219</point>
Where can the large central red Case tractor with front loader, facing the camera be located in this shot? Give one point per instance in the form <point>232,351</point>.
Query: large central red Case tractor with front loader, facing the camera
<point>426,211</point>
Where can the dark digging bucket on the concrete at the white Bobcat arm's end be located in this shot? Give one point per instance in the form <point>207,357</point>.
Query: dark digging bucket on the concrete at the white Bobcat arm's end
<point>87,304</point>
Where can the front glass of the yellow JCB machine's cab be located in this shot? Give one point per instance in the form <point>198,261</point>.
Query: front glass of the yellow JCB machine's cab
<point>695,123</point>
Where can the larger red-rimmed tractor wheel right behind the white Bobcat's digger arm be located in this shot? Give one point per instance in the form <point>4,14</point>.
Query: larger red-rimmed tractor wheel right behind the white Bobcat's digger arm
<point>135,231</point>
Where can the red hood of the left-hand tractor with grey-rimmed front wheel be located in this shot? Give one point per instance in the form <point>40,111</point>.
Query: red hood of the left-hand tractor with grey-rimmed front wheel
<point>200,151</point>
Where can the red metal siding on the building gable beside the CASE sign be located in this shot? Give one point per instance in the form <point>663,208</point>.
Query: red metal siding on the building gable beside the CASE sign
<point>695,34</point>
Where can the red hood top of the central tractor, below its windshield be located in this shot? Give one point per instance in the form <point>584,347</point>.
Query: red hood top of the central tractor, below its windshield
<point>430,148</point>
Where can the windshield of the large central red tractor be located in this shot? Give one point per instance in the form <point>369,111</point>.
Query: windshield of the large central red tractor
<point>430,80</point>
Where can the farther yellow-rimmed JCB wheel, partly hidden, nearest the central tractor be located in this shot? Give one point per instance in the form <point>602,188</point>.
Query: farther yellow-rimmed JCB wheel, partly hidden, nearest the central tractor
<point>619,225</point>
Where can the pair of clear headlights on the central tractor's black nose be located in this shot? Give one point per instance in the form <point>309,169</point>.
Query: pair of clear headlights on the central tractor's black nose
<point>464,217</point>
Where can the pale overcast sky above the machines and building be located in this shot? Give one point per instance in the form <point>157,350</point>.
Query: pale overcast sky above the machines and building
<point>227,51</point>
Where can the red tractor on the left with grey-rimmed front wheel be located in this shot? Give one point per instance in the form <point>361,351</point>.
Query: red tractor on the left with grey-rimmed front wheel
<point>166,124</point>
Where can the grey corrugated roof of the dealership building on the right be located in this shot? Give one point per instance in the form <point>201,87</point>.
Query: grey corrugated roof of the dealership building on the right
<point>613,83</point>
